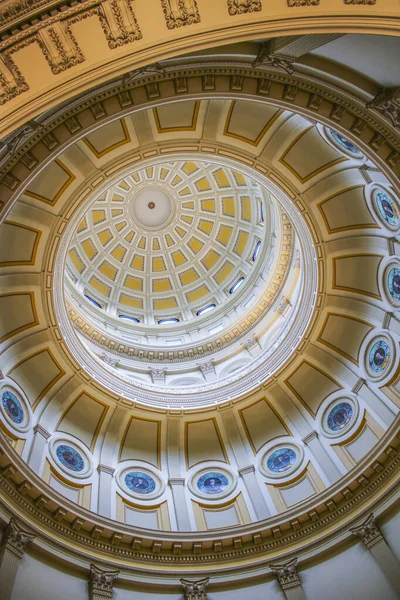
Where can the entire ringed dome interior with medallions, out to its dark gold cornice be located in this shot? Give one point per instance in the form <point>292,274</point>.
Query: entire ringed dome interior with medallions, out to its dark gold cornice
<point>123,394</point>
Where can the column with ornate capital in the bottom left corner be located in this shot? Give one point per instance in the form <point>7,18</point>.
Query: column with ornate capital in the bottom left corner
<point>13,546</point>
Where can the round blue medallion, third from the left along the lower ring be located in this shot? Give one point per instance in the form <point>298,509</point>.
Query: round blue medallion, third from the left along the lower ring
<point>142,483</point>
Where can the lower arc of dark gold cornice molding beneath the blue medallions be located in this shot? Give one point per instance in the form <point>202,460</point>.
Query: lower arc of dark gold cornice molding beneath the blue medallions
<point>310,523</point>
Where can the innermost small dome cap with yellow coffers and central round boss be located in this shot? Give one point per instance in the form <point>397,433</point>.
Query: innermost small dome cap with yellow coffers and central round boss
<point>169,240</point>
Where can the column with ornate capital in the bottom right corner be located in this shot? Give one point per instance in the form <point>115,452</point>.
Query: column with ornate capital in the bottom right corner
<point>372,537</point>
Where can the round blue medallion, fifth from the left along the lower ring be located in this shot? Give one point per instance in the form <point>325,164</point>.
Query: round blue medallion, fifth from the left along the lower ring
<point>281,459</point>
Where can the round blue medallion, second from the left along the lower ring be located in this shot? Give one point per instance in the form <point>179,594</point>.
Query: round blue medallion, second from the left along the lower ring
<point>70,457</point>
